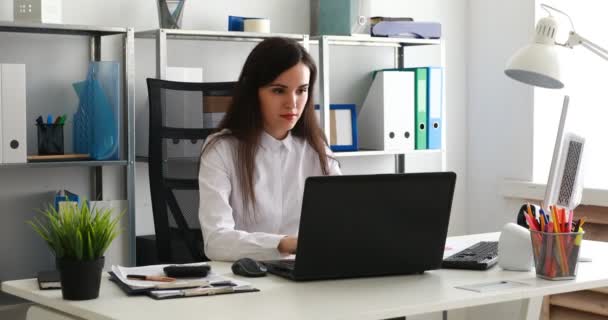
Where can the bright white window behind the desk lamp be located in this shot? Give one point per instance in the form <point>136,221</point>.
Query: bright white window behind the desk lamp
<point>587,85</point>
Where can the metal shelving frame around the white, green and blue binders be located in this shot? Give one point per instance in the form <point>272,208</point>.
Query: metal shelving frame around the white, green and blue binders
<point>399,44</point>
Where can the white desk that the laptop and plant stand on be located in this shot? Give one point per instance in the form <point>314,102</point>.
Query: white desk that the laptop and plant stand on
<point>369,298</point>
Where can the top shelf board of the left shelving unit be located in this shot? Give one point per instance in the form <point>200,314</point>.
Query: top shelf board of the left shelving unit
<point>50,28</point>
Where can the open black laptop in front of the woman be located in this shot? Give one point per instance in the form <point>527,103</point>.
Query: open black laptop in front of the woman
<point>370,225</point>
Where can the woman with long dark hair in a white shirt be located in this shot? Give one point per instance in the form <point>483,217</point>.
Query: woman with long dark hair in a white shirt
<point>253,171</point>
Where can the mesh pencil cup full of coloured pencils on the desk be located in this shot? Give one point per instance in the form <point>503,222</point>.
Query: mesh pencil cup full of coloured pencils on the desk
<point>556,254</point>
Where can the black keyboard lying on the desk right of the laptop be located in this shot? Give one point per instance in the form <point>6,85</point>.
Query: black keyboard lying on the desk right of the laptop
<point>480,256</point>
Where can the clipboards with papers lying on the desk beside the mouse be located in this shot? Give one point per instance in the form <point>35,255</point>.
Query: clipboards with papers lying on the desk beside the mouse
<point>212,284</point>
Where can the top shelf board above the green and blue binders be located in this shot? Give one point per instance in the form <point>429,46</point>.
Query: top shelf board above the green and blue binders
<point>374,41</point>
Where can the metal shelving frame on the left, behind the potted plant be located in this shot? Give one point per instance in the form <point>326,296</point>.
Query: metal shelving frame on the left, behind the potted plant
<point>128,135</point>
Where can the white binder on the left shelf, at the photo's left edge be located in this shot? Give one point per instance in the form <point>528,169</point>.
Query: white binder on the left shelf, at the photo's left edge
<point>14,139</point>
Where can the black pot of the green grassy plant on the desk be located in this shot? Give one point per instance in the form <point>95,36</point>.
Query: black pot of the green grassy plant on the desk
<point>80,280</point>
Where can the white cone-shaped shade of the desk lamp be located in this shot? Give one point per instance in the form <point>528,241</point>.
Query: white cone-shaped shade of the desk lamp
<point>538,63</point>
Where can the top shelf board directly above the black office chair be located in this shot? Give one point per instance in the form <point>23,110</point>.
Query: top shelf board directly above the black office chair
<point>214,35</point>
